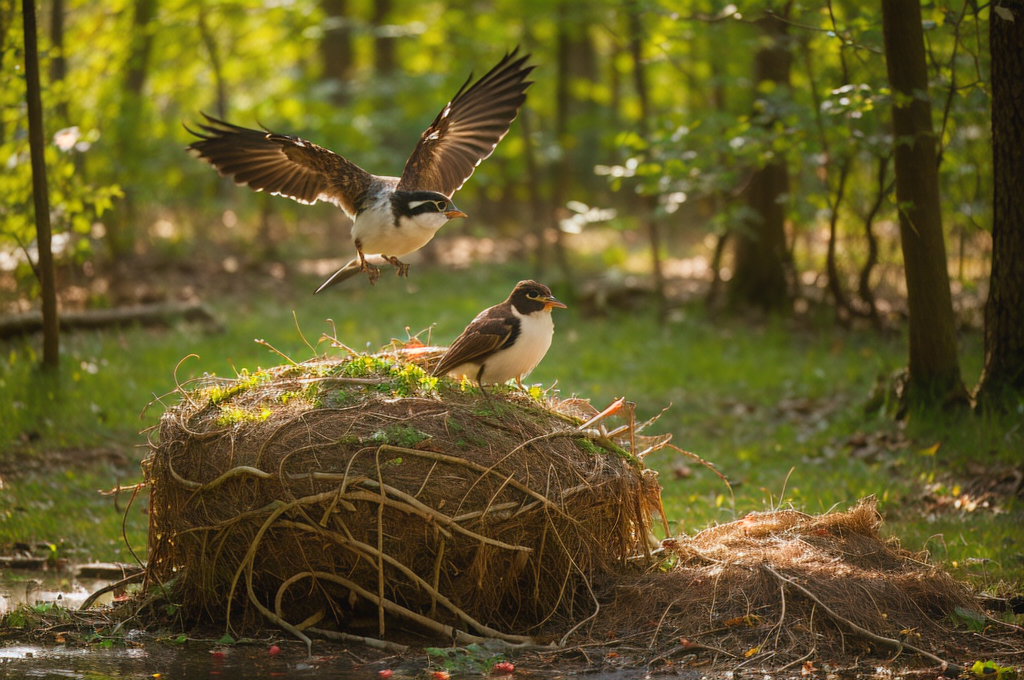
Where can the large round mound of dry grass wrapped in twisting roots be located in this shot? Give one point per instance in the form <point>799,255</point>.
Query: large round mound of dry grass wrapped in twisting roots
<point>339,488</point>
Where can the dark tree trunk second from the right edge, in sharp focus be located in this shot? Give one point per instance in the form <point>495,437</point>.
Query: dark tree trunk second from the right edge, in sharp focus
<point>934,375</point>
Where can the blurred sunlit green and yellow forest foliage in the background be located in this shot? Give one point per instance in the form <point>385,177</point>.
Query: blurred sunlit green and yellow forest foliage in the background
<point>657,118</point>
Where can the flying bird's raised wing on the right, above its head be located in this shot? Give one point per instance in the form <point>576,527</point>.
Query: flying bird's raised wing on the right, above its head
<point>468,130</point>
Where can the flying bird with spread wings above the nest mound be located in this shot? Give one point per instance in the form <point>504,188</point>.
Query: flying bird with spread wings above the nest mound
<point>392,217</point>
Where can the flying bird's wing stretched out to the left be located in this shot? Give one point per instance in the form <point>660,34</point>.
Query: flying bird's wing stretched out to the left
<point>281,165</point>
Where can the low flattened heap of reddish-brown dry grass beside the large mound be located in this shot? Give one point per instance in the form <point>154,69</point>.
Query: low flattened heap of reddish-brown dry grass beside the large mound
<point>789,587</point>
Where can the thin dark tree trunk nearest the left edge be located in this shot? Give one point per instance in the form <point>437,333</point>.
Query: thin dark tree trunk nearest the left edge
<point>48,281</point>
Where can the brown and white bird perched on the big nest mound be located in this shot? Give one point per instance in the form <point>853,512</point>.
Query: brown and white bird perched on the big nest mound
<point>505,342</point>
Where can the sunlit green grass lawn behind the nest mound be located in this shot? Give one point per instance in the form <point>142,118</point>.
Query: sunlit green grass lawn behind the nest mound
<point>777,406</point>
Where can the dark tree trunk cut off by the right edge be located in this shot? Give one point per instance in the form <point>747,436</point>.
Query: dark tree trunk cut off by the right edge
<point>1004,374</point>
